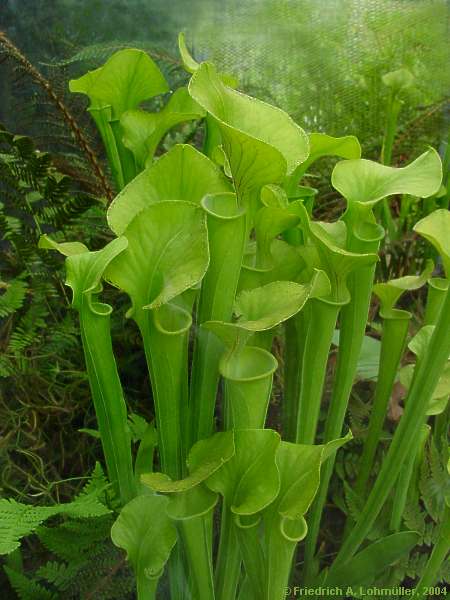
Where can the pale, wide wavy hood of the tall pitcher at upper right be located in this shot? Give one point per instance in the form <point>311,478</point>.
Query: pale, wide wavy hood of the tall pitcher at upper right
<point>366,182</point>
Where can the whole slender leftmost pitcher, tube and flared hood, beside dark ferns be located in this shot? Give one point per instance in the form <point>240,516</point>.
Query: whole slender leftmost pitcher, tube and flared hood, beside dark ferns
<point>84,273</point>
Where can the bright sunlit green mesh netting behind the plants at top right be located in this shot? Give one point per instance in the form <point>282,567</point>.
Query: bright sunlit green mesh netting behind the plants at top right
<point>322,60</point>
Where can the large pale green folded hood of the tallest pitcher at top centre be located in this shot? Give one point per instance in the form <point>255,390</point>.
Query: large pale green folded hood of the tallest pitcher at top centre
<point>262,143</point>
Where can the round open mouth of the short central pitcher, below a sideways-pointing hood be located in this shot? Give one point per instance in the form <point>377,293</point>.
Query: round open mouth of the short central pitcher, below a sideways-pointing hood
<point>251,364</point>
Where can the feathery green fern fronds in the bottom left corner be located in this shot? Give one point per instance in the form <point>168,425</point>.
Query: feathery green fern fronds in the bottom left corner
<point>83,560</point>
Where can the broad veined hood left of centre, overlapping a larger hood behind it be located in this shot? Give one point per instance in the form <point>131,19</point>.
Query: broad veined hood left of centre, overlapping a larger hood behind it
<point>167,254</point>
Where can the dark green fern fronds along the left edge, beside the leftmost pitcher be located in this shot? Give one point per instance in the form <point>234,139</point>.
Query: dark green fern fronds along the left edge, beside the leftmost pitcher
<point>35,198</point>
